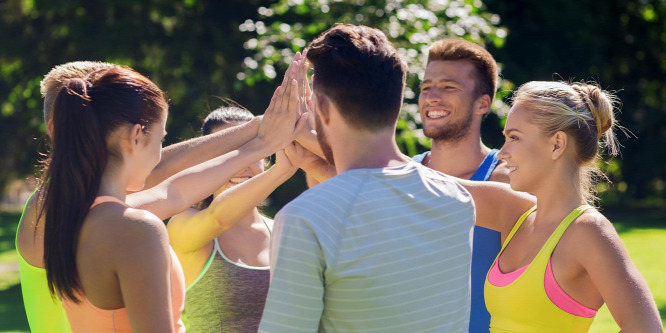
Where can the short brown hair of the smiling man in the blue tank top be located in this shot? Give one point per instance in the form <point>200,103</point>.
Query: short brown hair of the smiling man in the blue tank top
<point>460,49</point>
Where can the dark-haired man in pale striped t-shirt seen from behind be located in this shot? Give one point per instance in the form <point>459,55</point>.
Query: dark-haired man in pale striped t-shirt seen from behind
<point>384,246</point>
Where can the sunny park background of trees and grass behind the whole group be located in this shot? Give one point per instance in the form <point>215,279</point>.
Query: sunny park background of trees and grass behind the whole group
<point>200,51</point>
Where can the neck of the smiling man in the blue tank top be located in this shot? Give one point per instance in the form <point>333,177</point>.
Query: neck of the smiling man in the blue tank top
<point>459,159</point>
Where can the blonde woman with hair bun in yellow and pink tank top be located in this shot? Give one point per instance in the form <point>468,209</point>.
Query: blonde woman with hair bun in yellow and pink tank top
<point>563,259</point>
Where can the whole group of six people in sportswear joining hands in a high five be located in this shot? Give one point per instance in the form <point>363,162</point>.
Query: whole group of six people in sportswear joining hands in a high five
<point>460,238</point>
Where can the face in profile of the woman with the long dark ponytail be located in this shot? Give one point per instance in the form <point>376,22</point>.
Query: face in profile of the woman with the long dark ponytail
<point>149,155</point>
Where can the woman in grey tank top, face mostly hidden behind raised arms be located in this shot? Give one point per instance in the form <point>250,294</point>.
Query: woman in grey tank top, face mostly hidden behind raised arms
<point>223,245</point>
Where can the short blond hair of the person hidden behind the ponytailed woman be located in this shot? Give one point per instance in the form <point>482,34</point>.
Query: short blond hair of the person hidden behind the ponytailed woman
<point>52,82</point>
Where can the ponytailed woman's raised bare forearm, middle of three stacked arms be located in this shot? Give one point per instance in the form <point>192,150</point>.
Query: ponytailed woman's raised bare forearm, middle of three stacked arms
<point>196,183</point>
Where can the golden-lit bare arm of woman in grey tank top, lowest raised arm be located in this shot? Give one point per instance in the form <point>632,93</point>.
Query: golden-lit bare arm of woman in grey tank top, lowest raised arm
<point>190,231</point>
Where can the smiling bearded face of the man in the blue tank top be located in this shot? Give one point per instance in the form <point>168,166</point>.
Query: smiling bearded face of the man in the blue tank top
<point>446,101</point>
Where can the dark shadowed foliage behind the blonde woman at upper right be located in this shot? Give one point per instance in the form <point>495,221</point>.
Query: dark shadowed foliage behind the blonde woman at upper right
<point>619,44</point>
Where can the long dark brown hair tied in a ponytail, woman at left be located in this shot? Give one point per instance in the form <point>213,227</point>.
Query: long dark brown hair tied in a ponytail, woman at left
<point>86,111</point>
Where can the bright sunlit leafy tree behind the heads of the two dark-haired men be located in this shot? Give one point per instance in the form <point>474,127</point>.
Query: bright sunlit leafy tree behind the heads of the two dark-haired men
<point>287,26</point>
